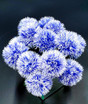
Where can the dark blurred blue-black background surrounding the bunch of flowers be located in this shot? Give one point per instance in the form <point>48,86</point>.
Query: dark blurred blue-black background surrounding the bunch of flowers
<point>74,14</point>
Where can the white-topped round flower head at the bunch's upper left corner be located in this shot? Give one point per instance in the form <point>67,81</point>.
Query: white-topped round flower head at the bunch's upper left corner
<point>28,27</point>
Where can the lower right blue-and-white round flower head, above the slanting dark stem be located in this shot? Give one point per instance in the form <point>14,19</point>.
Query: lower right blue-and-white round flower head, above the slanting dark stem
<point>73,73</point>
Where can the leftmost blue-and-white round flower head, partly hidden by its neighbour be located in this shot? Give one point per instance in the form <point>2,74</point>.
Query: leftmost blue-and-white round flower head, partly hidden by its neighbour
<point>12,52</point>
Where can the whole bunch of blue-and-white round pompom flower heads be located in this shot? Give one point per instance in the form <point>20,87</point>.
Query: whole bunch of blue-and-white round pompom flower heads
<point>40,53</point>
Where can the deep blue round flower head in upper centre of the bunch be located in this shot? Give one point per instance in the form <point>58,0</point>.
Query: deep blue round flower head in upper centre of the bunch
<point>45,40</point>
